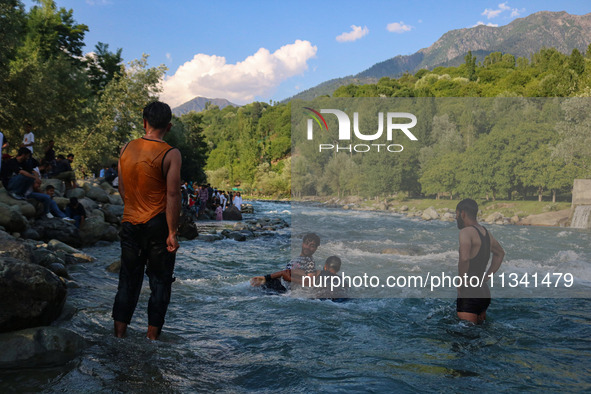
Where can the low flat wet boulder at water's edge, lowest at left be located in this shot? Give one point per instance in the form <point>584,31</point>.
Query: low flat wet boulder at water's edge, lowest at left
<point>39,347</point>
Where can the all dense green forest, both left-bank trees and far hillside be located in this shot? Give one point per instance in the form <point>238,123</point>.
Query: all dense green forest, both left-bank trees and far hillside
<point>91,105</point>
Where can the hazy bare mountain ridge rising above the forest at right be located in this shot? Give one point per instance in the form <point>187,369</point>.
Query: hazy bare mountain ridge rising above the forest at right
<point>521,38</point>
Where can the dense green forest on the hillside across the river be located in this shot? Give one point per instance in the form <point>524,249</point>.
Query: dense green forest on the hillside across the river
<point>500,147</point>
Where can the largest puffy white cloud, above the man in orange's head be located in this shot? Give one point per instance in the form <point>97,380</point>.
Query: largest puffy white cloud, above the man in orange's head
<point>257,75</point>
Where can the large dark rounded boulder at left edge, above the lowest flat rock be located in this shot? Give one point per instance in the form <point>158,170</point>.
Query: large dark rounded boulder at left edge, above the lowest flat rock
<point>30,295</point>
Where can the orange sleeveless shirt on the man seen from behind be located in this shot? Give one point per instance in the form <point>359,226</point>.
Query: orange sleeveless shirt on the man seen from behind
<point>143,179</point>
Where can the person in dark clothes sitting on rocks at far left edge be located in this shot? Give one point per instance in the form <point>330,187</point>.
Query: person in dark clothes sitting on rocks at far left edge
<point>18,174</point>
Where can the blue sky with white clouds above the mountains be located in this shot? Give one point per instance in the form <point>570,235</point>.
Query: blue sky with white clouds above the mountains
<point>263,50</point>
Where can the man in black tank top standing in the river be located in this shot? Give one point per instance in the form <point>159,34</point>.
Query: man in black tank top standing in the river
<point>476,246</point>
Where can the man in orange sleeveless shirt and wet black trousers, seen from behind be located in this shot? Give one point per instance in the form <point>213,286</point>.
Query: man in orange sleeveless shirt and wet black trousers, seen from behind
<point>149,183</point>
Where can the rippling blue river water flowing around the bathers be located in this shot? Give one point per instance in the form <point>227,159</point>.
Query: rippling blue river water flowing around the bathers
<point>223,335</point>
